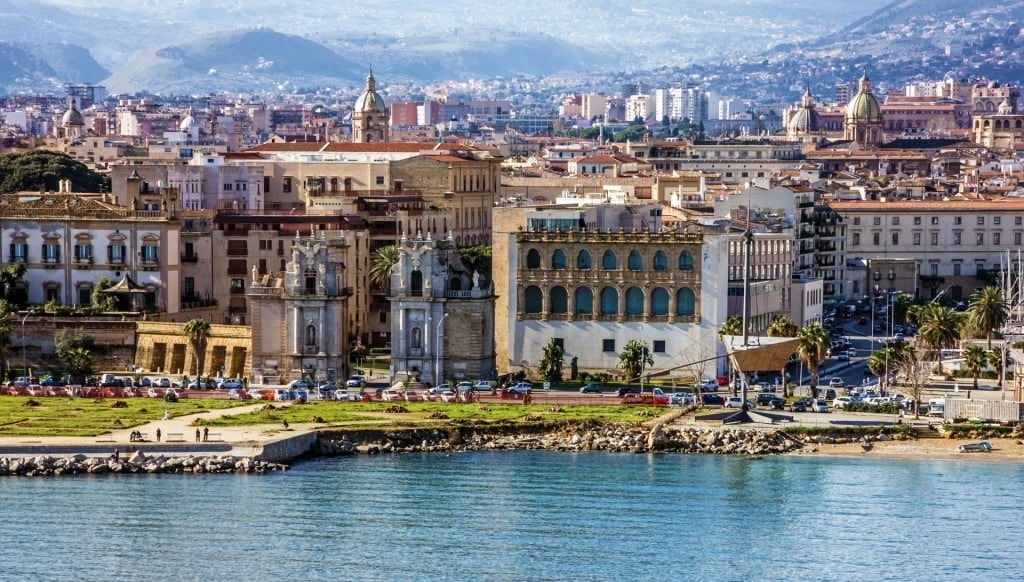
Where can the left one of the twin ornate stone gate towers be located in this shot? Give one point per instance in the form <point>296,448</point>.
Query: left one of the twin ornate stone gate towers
<point>298,317</point>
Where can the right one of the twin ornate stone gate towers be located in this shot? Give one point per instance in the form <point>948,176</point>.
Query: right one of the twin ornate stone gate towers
<point>442,315</point>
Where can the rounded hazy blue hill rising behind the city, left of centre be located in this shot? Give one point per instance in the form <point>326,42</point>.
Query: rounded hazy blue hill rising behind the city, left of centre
<point>237,61</point>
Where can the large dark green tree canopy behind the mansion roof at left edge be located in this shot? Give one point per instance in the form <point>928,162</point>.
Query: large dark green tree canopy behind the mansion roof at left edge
<point>45,170</point>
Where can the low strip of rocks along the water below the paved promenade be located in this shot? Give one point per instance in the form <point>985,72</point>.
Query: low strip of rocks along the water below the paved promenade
<point>138,464</point>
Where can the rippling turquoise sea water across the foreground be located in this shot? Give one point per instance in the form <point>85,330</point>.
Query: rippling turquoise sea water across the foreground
<point>526,516</point>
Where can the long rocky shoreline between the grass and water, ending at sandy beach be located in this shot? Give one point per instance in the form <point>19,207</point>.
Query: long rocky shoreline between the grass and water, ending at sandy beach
<point>604,438</point>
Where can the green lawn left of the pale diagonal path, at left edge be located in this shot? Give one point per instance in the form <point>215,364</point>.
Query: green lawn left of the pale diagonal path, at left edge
<point>89,418</point>
